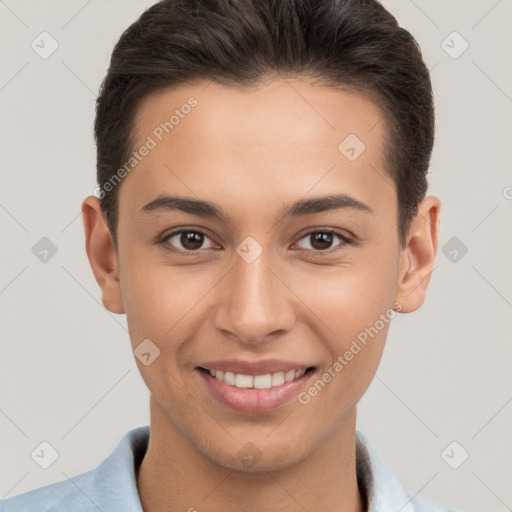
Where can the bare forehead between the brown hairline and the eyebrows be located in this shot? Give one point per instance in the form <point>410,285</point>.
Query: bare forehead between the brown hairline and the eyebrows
<point>286,136</point>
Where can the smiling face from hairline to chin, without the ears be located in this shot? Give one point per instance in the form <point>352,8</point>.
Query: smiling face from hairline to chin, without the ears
<point>269,269</point>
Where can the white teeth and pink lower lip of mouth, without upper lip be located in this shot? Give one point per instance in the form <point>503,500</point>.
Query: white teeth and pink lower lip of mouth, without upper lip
<point>258,393</point>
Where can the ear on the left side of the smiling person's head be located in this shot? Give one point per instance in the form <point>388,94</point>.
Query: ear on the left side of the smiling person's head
<point>102,255</point>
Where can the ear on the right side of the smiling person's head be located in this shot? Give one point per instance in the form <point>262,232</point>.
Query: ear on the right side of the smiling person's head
<point>417,258</point>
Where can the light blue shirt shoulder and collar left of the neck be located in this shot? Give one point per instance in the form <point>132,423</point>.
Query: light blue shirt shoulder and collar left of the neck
<point>110,486</point>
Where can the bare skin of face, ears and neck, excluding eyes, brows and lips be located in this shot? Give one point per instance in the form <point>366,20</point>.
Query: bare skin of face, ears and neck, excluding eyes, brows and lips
<point>252,152</point>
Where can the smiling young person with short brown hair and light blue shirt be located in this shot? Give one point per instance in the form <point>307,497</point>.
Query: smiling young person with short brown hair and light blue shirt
<point>261,208</point>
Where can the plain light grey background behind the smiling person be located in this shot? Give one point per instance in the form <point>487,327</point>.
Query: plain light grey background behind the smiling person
<point>67,373</point>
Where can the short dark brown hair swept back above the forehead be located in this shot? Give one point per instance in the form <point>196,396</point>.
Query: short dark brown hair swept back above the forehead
<point>341,43</point>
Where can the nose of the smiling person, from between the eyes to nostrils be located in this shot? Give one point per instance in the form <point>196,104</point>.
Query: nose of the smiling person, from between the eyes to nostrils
<point>255,303</point>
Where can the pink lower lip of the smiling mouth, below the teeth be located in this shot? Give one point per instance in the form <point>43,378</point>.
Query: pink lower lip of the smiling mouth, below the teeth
<point>254,401</point>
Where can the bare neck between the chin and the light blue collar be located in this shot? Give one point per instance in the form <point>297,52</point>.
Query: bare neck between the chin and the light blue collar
<point>175,477</point>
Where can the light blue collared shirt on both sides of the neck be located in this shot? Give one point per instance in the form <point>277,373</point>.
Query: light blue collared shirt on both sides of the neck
<point>112,487</point>
